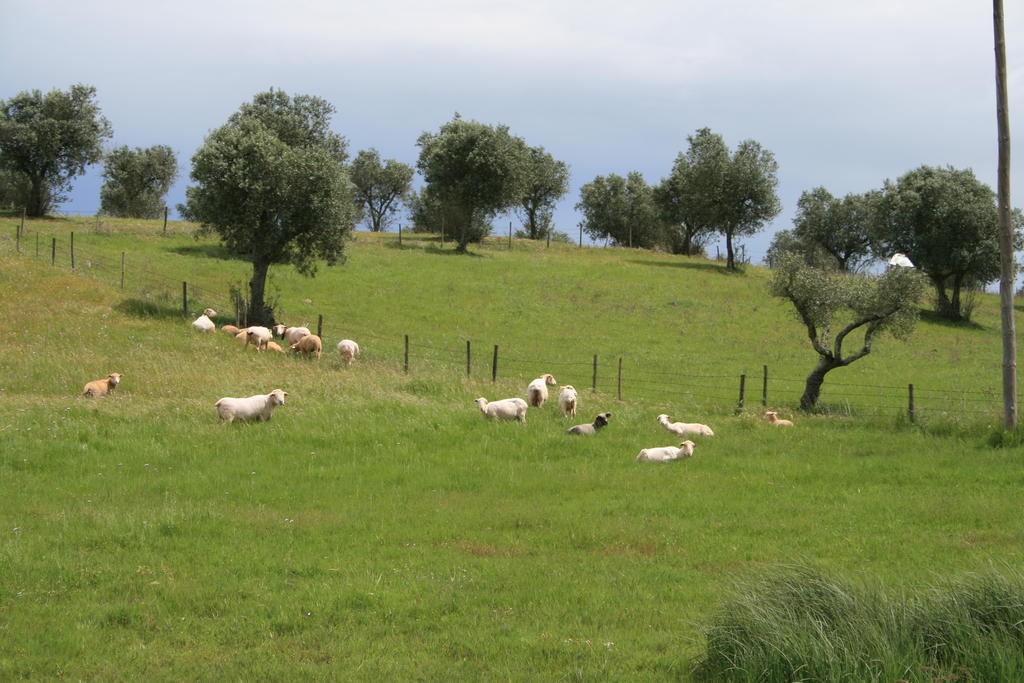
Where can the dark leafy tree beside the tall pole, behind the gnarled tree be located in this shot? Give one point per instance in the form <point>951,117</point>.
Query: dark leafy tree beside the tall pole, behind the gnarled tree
<point>946,221</point>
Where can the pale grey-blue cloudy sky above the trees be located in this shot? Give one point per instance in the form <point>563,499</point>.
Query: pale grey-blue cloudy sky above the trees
<point>846,95</point>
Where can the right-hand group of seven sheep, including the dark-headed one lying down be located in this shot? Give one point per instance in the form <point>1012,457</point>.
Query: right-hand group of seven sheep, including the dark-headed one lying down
<point>537,394</point>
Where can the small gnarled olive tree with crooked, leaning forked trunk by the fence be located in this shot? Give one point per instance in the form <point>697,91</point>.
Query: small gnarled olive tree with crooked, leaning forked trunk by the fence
<point>833,307</point>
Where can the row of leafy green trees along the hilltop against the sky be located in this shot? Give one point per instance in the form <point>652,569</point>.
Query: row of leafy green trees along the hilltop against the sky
<point>277,185</point>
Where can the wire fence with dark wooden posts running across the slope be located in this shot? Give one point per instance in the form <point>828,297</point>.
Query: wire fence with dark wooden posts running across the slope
<point>729,386</point>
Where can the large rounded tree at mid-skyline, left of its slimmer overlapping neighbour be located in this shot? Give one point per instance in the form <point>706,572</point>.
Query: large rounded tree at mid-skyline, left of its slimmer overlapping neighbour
<point>477,172</point>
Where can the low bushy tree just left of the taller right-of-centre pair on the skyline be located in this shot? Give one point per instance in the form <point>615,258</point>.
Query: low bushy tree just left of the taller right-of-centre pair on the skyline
<point>622,209</point>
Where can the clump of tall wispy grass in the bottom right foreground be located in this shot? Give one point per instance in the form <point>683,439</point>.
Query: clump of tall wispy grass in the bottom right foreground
<point>797,623</point>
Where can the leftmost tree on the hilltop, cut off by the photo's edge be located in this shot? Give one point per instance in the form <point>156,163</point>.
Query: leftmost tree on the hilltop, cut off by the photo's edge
<point>51,140</point>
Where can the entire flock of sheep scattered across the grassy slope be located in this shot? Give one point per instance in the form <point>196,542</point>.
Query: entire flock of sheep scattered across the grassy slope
<point>301,340</point>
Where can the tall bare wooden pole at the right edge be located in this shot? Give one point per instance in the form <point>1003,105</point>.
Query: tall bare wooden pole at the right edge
<point>1010,417</point>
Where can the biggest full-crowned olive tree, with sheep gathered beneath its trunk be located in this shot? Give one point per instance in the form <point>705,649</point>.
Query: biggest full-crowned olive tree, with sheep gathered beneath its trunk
<point>272,184</point>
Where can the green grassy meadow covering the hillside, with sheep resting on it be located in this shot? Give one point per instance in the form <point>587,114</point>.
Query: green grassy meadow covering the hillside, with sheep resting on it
<point>379,528</point>
